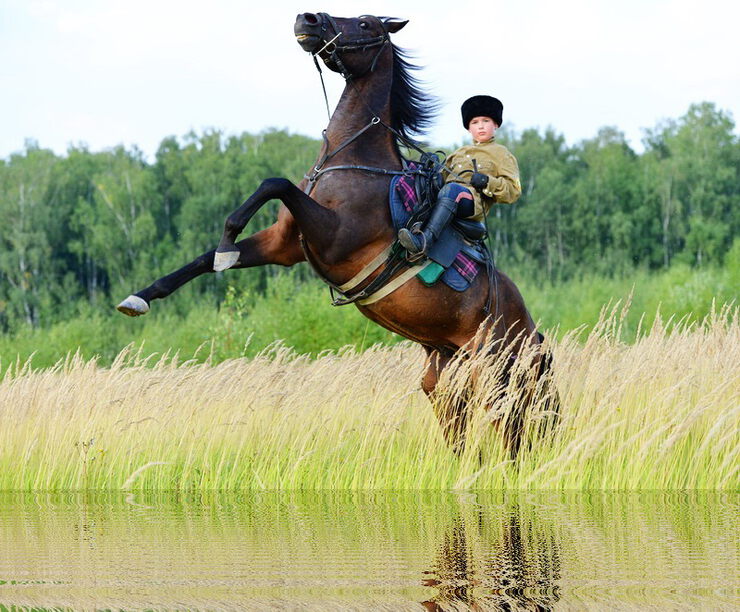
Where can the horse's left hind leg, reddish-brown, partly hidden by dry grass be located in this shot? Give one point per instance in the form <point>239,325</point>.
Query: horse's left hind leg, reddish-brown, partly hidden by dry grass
<point>452,412</point>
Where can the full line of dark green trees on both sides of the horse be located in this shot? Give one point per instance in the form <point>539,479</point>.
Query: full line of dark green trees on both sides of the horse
<point>93,226</point>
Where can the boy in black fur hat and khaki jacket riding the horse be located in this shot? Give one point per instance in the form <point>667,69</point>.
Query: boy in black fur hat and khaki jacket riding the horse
<point>495,176</point>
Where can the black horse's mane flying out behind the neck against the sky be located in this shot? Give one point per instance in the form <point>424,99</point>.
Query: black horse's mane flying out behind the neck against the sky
<point>412,109</point>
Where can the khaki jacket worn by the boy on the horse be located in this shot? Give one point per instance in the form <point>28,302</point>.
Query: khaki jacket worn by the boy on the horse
<point>496,162</point>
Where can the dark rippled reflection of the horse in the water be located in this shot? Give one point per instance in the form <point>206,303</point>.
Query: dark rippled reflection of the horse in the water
<point>505,565</point>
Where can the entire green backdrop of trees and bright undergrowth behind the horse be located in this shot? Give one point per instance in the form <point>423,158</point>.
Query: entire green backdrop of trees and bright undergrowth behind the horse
<point>81,231</point>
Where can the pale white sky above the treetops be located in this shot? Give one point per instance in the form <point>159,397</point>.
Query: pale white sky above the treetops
<point>103,73</point>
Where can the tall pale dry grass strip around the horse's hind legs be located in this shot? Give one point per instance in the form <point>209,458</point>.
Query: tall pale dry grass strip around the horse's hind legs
<point>661,412</point>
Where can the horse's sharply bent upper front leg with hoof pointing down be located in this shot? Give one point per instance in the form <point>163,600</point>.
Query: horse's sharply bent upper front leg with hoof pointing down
<point>317,223</point>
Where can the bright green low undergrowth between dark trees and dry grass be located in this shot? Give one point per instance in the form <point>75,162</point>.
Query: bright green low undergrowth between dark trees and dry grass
<point>300,314</point>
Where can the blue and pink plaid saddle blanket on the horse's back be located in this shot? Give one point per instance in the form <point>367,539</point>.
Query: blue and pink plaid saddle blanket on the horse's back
<point>467,264</point>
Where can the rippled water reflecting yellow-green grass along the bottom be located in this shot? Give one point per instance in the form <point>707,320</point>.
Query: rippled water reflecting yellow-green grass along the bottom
<point>376,551</point>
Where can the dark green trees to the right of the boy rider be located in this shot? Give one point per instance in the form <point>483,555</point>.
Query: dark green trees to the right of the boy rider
<point>598,206</point>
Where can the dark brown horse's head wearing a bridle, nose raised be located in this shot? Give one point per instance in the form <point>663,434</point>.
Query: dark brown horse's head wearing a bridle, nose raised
<point>350,46</point>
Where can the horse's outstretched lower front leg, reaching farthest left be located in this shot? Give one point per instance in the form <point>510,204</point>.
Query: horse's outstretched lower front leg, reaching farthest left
<point>278,244</point>
